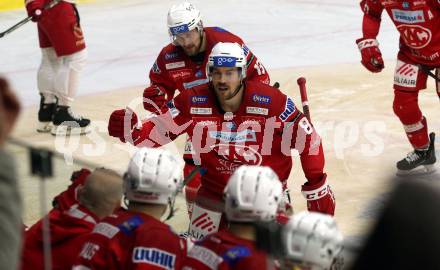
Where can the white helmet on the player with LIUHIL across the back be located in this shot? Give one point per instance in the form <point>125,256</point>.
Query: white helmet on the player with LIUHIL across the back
<point>153,176</point>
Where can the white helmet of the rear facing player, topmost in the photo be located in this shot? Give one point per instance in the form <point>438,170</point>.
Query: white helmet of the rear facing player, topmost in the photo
<point>182,18</point>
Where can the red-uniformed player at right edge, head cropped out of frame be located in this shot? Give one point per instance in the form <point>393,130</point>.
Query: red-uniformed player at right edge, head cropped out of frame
<point>418,22</point>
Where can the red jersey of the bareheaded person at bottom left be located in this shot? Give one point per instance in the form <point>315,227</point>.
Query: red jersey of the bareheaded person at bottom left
<point>68,232</point>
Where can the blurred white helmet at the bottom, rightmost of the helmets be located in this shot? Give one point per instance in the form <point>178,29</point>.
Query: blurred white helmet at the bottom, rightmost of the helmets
<point>314,241</point>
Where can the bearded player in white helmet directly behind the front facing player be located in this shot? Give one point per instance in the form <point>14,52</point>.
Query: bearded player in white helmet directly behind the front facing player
<point>181,65</point>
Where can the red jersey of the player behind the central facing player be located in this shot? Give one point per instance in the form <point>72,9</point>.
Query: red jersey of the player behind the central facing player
<point>174,69</point>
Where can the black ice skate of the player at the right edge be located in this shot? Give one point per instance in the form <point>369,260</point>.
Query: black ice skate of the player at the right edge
<point>419,161</point>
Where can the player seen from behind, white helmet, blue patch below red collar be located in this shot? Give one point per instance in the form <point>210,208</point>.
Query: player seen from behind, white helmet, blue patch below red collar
<point>252,194</point>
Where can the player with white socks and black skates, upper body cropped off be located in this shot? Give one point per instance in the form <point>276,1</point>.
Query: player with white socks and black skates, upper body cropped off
<point>64,55</point>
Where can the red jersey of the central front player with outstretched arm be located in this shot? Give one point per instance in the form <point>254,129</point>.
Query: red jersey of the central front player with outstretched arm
<point>261,132</point>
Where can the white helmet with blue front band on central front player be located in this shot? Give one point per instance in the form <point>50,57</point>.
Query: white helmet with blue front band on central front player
<point>226,54</point>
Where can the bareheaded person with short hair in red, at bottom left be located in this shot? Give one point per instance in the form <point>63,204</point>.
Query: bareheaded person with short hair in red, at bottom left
<point>98,197</point>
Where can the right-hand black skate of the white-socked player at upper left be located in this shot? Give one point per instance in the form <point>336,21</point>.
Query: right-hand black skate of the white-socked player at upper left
<point>65,122</point>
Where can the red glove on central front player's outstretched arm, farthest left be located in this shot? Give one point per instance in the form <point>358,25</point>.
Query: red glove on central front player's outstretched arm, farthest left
<point>122,124</point>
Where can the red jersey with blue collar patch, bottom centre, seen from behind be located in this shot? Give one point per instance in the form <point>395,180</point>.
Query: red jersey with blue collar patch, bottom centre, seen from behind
<point>222,251</point>
